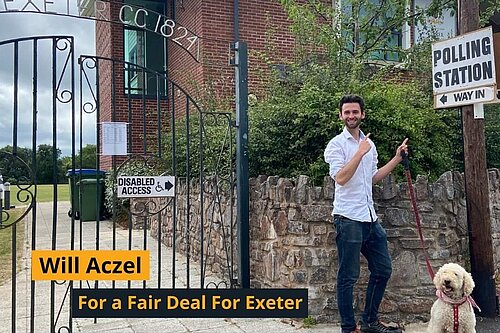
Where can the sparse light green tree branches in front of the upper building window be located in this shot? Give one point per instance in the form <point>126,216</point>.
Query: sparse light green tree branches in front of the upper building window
<point>357,32</point>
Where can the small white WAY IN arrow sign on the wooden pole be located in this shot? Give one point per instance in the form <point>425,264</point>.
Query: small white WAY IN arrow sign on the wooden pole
<point>465,97</point>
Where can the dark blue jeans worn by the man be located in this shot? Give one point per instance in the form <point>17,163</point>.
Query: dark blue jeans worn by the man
<point>370,239</point>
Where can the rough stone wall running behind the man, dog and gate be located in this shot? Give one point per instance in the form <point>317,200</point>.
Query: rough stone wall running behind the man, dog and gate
<point>293,240</point>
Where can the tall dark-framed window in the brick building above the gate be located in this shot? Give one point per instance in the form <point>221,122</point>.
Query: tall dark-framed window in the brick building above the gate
<point>144,48</point>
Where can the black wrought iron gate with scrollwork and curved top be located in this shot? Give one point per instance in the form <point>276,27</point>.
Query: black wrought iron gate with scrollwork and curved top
<point>191,236</point>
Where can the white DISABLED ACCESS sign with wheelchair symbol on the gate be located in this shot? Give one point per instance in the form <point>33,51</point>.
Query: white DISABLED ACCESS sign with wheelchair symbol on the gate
<point>145,186</point>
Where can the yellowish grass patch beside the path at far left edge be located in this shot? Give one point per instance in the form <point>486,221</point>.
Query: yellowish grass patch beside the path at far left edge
<point>6,245</point>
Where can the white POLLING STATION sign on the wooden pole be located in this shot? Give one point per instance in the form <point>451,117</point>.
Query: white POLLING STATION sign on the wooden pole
<point>464,62</point>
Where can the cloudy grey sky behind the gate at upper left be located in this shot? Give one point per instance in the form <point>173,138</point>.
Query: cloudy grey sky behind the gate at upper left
<point>24,24</point>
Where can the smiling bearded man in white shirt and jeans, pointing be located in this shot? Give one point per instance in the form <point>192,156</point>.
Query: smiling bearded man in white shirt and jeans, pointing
<point>352,157</point>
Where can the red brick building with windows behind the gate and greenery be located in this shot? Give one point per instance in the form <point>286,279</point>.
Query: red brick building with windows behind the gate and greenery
<point>196,53</point>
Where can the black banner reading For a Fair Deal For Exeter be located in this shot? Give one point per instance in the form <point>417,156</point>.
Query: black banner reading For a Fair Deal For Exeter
<point>189,303</point>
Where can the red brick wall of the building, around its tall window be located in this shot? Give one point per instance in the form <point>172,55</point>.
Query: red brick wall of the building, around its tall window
<point>212,78</point>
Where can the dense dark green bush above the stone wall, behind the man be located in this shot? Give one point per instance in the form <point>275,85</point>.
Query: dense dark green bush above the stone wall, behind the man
<point>289,132</point>
